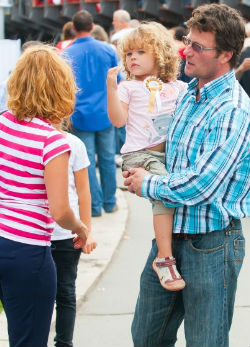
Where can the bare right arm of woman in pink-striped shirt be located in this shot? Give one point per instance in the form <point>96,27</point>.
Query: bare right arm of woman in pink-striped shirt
<point>56,182</point>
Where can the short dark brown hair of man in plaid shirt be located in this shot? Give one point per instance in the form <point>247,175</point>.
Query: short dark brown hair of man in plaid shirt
<point>227,25</point>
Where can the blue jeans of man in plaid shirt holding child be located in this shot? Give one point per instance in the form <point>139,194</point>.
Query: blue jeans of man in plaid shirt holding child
<point>210,265</point>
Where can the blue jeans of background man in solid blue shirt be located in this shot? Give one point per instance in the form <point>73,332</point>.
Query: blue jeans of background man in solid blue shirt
<point>101,143</point>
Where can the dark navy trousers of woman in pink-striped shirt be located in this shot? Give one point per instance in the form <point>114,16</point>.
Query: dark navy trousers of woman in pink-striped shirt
<point>27,291</point>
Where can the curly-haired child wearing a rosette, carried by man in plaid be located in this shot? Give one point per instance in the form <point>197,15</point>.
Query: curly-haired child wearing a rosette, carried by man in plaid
<point>145,102</point>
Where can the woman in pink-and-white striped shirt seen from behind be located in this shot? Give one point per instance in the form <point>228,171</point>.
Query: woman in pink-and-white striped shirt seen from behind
<point>34,191</point>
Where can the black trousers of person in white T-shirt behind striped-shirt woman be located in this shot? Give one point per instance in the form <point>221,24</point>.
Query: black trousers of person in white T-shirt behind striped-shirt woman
<point>66,259</point>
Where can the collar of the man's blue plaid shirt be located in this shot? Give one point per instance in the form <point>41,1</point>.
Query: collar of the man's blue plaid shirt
<point>213,88</point>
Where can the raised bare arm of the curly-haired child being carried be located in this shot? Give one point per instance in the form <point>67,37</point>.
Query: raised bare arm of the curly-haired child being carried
<point>117,110</point>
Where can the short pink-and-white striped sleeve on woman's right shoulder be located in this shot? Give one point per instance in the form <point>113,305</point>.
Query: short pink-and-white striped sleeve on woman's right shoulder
<point>54,145</point>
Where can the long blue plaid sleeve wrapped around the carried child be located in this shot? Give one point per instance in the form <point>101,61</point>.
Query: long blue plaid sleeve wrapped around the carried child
<point>225,145</point>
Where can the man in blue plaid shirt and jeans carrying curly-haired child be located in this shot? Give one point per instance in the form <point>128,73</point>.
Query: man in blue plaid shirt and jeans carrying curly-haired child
<point>208,160</point>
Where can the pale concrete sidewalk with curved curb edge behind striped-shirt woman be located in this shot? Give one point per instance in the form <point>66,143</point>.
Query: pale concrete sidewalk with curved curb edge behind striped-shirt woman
<point>107,231</point>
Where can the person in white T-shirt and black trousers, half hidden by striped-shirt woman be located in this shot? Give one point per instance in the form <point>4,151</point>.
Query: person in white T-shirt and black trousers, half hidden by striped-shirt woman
<point>63,252</point>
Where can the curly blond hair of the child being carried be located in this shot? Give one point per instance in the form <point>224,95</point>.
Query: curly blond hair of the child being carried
<point>153,37</point>
